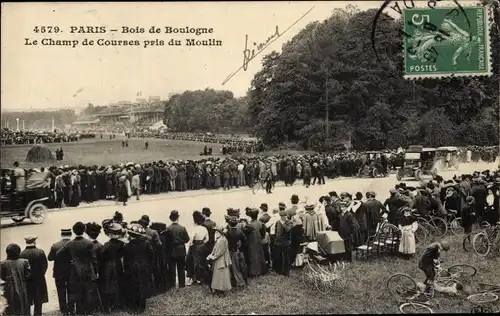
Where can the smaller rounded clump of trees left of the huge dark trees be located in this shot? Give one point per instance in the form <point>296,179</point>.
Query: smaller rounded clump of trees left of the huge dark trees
<point>206,111</point>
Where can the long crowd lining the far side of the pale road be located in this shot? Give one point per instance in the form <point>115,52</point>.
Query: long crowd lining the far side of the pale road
<point>72,185</point>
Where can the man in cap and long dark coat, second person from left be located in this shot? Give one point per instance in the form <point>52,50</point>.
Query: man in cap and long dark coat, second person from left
<point>36,283</point>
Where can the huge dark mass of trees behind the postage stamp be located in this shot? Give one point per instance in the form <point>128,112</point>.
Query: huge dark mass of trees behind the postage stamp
<point>332,64</point>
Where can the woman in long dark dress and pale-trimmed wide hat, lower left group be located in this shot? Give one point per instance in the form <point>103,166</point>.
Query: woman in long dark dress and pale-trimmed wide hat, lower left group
<point>138,254</point>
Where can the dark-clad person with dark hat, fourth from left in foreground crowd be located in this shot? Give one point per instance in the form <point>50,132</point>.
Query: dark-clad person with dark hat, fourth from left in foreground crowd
<point>83,270</point>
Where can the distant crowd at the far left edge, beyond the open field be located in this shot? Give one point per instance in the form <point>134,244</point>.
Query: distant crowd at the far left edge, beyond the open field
<point>11,137</point>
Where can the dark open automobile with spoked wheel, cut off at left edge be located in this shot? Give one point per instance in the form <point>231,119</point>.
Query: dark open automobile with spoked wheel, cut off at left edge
<point>33,203</point>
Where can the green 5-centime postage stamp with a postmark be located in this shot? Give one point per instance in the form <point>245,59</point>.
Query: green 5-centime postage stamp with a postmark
<point>443,42</point>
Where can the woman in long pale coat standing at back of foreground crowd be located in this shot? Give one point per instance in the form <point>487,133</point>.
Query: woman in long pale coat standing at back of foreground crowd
<point>220,261</point>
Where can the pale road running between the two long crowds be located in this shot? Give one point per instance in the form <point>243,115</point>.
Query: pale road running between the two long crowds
<point>158,208</point>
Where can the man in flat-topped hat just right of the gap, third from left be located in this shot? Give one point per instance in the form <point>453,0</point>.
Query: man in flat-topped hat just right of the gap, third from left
<point>61,271</point>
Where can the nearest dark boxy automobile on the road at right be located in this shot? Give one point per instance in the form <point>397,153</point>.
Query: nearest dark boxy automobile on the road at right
<point>418,161</point>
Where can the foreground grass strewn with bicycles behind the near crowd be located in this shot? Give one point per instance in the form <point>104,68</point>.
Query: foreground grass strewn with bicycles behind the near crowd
<point>365,292</point>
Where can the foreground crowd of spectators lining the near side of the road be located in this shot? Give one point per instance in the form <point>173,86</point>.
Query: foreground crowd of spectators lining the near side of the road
<point>144,258</point>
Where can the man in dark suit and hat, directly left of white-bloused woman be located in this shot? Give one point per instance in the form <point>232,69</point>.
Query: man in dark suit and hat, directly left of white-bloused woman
<point>175,249</point>
